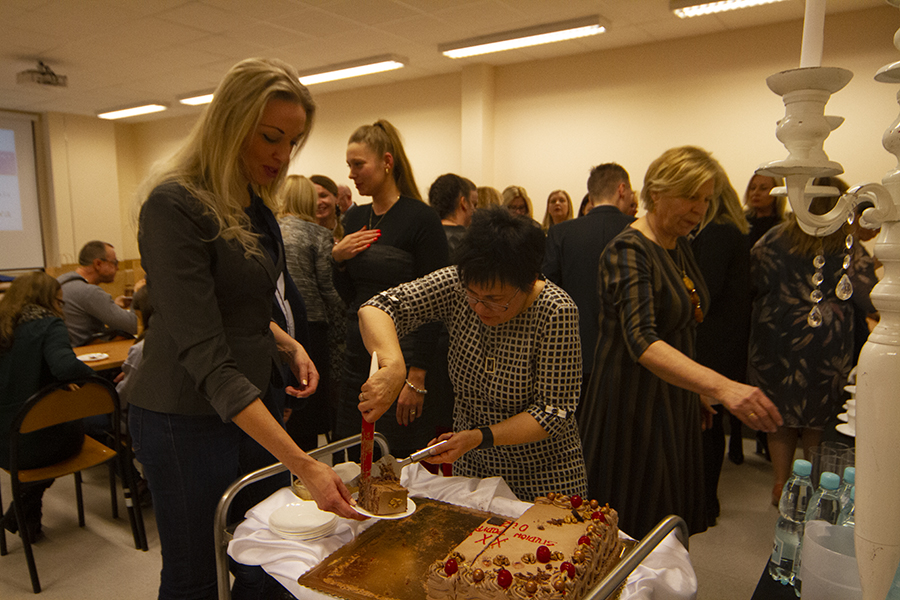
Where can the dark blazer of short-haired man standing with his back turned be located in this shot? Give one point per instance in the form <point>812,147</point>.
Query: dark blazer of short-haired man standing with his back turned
<point>572,261</point>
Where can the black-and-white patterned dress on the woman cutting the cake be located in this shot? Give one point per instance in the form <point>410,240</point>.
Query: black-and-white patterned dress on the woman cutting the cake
<point>531,363</point>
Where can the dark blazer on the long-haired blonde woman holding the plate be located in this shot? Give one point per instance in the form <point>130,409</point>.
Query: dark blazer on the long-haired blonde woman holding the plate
<point>208,347</point>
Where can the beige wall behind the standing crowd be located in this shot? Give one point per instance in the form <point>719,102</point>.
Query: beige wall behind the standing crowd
<point>540,124</point>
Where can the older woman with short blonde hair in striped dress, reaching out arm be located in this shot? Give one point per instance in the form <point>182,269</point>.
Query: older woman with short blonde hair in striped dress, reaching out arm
<point>641,420</point>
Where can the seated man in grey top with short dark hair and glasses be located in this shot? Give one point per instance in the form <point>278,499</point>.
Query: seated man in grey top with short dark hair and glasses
<point>89,310</point>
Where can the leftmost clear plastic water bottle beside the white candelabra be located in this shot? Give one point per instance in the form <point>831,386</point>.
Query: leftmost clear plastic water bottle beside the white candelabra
<point>789,526</point>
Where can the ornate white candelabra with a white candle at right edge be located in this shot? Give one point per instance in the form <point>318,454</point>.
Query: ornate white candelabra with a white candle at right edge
<point>803,131</point>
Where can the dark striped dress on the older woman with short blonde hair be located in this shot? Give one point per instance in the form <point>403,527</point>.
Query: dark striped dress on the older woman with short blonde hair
<point>641,436</point>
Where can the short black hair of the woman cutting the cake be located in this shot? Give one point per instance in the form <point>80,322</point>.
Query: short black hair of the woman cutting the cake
<point>501,247</point>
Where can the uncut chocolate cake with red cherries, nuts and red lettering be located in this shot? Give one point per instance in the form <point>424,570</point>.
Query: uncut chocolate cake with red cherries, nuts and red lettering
<point>558,549</point>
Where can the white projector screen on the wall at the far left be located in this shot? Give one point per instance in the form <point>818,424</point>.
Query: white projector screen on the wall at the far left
<point>21,246</point>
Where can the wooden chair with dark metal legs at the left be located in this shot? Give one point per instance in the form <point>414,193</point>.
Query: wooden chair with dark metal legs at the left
<point>62,403</point>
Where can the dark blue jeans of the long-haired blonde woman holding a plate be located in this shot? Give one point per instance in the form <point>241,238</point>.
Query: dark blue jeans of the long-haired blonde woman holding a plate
<point>189,461</point>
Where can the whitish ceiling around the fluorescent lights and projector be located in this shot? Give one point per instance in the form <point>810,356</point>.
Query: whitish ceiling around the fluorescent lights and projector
<point>118,53</point>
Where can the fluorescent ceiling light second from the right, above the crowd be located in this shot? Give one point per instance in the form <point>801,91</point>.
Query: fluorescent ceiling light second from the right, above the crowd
<point>522,38</point>
